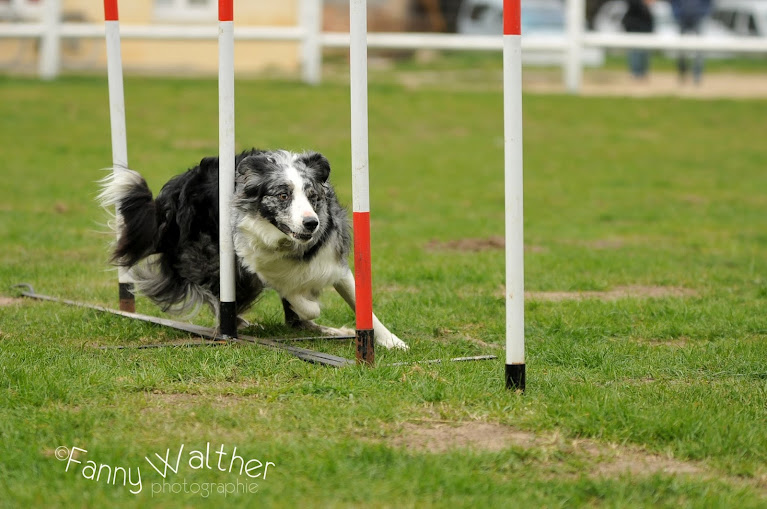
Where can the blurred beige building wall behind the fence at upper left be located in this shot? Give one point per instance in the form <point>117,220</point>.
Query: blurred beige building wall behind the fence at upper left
<point>201,57</point>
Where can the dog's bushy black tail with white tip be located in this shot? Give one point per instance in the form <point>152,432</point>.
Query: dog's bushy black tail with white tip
<point>136,217</point>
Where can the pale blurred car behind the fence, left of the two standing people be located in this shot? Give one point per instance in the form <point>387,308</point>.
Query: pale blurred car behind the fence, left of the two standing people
<point>540,18</point>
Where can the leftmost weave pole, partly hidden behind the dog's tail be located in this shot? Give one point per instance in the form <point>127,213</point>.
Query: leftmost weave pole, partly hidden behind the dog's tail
<point>117,127</point>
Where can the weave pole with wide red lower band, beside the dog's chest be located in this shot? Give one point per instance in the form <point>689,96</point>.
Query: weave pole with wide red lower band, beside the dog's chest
<point>358,56</point>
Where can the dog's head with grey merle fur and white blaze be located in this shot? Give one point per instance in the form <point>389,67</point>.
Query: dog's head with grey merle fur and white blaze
<point>281,195</point>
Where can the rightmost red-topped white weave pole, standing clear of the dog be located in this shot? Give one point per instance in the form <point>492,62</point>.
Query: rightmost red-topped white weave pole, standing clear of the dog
<point>512,120</point>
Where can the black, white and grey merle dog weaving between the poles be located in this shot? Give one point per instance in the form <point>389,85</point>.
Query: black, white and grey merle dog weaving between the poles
<point>290,234</point>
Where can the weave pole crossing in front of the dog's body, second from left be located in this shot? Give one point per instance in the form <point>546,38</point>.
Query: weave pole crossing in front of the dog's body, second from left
<point>228,308</point>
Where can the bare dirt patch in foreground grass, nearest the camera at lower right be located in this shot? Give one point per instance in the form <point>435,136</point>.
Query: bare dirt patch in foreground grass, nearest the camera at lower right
<point>606,460</point>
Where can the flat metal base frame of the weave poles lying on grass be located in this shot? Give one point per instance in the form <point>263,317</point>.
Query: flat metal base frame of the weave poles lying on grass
<point>211,337</point>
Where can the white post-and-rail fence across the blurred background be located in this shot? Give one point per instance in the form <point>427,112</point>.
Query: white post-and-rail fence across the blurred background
<point>307,31</point>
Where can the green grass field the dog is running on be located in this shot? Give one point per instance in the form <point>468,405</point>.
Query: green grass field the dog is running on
<point>646,325</point>
